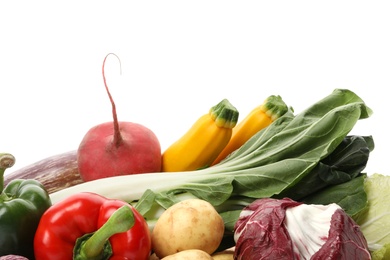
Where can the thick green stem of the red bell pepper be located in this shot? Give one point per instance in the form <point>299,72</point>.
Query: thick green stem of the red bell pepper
<point>120,221</point>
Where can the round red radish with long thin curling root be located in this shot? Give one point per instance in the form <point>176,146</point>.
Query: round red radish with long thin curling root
<point>117,148</point>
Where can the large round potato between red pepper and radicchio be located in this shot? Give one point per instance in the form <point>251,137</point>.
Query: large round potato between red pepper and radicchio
<point>189,224</point>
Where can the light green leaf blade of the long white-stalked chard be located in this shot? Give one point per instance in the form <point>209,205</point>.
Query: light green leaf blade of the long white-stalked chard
<point>280,155</point>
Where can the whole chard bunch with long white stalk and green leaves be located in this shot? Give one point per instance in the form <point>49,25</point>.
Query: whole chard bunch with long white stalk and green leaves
<point>308,157</point>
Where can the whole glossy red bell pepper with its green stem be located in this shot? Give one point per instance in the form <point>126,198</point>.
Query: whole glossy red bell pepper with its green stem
<point>89,226</point>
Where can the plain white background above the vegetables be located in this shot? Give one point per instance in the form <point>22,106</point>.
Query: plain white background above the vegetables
<point>178,59</point>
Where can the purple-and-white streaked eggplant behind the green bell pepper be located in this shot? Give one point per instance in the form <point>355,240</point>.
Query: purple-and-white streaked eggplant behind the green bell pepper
<point>55,173</point>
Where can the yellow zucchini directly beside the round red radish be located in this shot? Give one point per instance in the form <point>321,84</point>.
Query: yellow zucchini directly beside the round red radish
<point>202,143</point>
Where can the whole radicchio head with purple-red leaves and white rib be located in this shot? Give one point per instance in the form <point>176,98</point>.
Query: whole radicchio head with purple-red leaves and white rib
<point>285,229</point>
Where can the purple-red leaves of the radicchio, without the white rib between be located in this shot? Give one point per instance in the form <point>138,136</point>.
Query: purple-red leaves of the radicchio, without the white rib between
<point>261,234</point>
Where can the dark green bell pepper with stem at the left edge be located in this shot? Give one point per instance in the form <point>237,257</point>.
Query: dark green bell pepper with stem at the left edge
<point>22,203</point>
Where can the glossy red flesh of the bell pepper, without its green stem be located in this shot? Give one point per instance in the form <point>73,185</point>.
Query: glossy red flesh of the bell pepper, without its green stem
<point>63,223</point>
